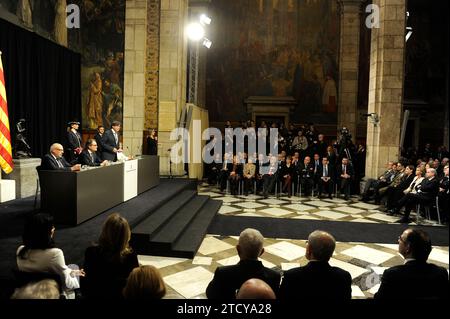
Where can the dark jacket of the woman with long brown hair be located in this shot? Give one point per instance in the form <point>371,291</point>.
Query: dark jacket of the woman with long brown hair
<point>105,276</point>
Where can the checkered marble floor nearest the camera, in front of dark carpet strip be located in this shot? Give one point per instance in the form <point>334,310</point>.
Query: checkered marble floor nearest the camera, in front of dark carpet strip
<point>188,278</point>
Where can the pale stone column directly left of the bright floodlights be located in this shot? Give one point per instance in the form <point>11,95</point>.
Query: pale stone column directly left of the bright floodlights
<point>172,76</point>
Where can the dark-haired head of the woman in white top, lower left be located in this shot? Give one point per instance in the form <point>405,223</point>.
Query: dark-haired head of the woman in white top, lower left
<point>37,232</point>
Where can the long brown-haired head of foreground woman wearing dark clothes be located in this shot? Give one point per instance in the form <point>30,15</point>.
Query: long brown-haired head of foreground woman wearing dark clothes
<point>115,236</point>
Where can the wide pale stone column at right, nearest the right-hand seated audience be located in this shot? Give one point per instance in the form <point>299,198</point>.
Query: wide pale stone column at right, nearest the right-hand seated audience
<point>386,85</point>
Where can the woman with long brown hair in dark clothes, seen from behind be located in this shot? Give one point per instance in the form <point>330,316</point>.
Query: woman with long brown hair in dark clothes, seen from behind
<point>109,263</point>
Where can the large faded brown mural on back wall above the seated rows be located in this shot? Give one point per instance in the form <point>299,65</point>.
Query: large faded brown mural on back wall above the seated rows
<point>274,48</point>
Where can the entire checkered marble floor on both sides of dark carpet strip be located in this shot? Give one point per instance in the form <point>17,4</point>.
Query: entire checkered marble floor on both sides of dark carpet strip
<point>188,278</point>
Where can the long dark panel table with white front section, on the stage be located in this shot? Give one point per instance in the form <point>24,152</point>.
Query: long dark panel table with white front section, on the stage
<point>74,197</point>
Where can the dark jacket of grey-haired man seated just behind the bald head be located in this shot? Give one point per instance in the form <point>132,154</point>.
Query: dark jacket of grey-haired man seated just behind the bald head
<point>228,279</point>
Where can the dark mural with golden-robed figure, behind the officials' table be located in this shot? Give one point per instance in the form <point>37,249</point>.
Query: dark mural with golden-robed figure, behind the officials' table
<point>101,41</point>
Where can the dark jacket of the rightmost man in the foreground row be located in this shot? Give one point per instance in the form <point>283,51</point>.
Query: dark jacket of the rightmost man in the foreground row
<point>414,280</point>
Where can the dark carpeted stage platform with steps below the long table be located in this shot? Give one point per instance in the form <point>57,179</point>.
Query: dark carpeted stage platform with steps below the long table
<point>171,219</point>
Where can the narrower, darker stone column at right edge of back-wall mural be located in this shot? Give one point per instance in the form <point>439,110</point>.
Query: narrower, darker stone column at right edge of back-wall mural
<point>350,11</point>
